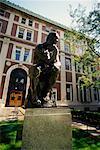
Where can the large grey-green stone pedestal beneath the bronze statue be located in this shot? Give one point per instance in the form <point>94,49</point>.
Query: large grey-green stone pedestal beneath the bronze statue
<point>47,129</point>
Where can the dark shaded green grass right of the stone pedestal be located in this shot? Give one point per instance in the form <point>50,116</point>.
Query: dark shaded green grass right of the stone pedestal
<point>83,140</point>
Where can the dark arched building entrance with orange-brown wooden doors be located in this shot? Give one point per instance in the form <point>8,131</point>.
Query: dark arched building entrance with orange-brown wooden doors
<point>17,88</point>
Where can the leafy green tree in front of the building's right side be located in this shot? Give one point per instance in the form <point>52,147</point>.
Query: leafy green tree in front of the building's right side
<point>88,27</point>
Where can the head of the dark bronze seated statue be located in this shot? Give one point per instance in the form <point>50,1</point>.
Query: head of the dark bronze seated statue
<point>52,38</point>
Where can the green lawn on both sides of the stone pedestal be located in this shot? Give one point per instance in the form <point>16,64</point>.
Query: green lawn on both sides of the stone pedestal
<point>11,137</point>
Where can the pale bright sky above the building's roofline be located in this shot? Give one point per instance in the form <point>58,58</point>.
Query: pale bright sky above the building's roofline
<point>56,10</point>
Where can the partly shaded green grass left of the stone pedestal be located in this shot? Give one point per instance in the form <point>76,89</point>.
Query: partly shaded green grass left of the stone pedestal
<point>11,135</point>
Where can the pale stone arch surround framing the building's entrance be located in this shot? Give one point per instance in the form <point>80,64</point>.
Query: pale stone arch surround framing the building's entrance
<point>4,97</point>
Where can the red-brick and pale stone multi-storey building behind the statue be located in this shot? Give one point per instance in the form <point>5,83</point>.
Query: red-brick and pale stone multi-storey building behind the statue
<point>20,31</point>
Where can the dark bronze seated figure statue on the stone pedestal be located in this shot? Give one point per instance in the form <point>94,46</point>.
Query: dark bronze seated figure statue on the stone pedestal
<point>43,73</point>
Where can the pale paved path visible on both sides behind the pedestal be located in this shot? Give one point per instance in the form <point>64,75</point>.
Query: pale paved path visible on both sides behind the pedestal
<point>11,113</point>
